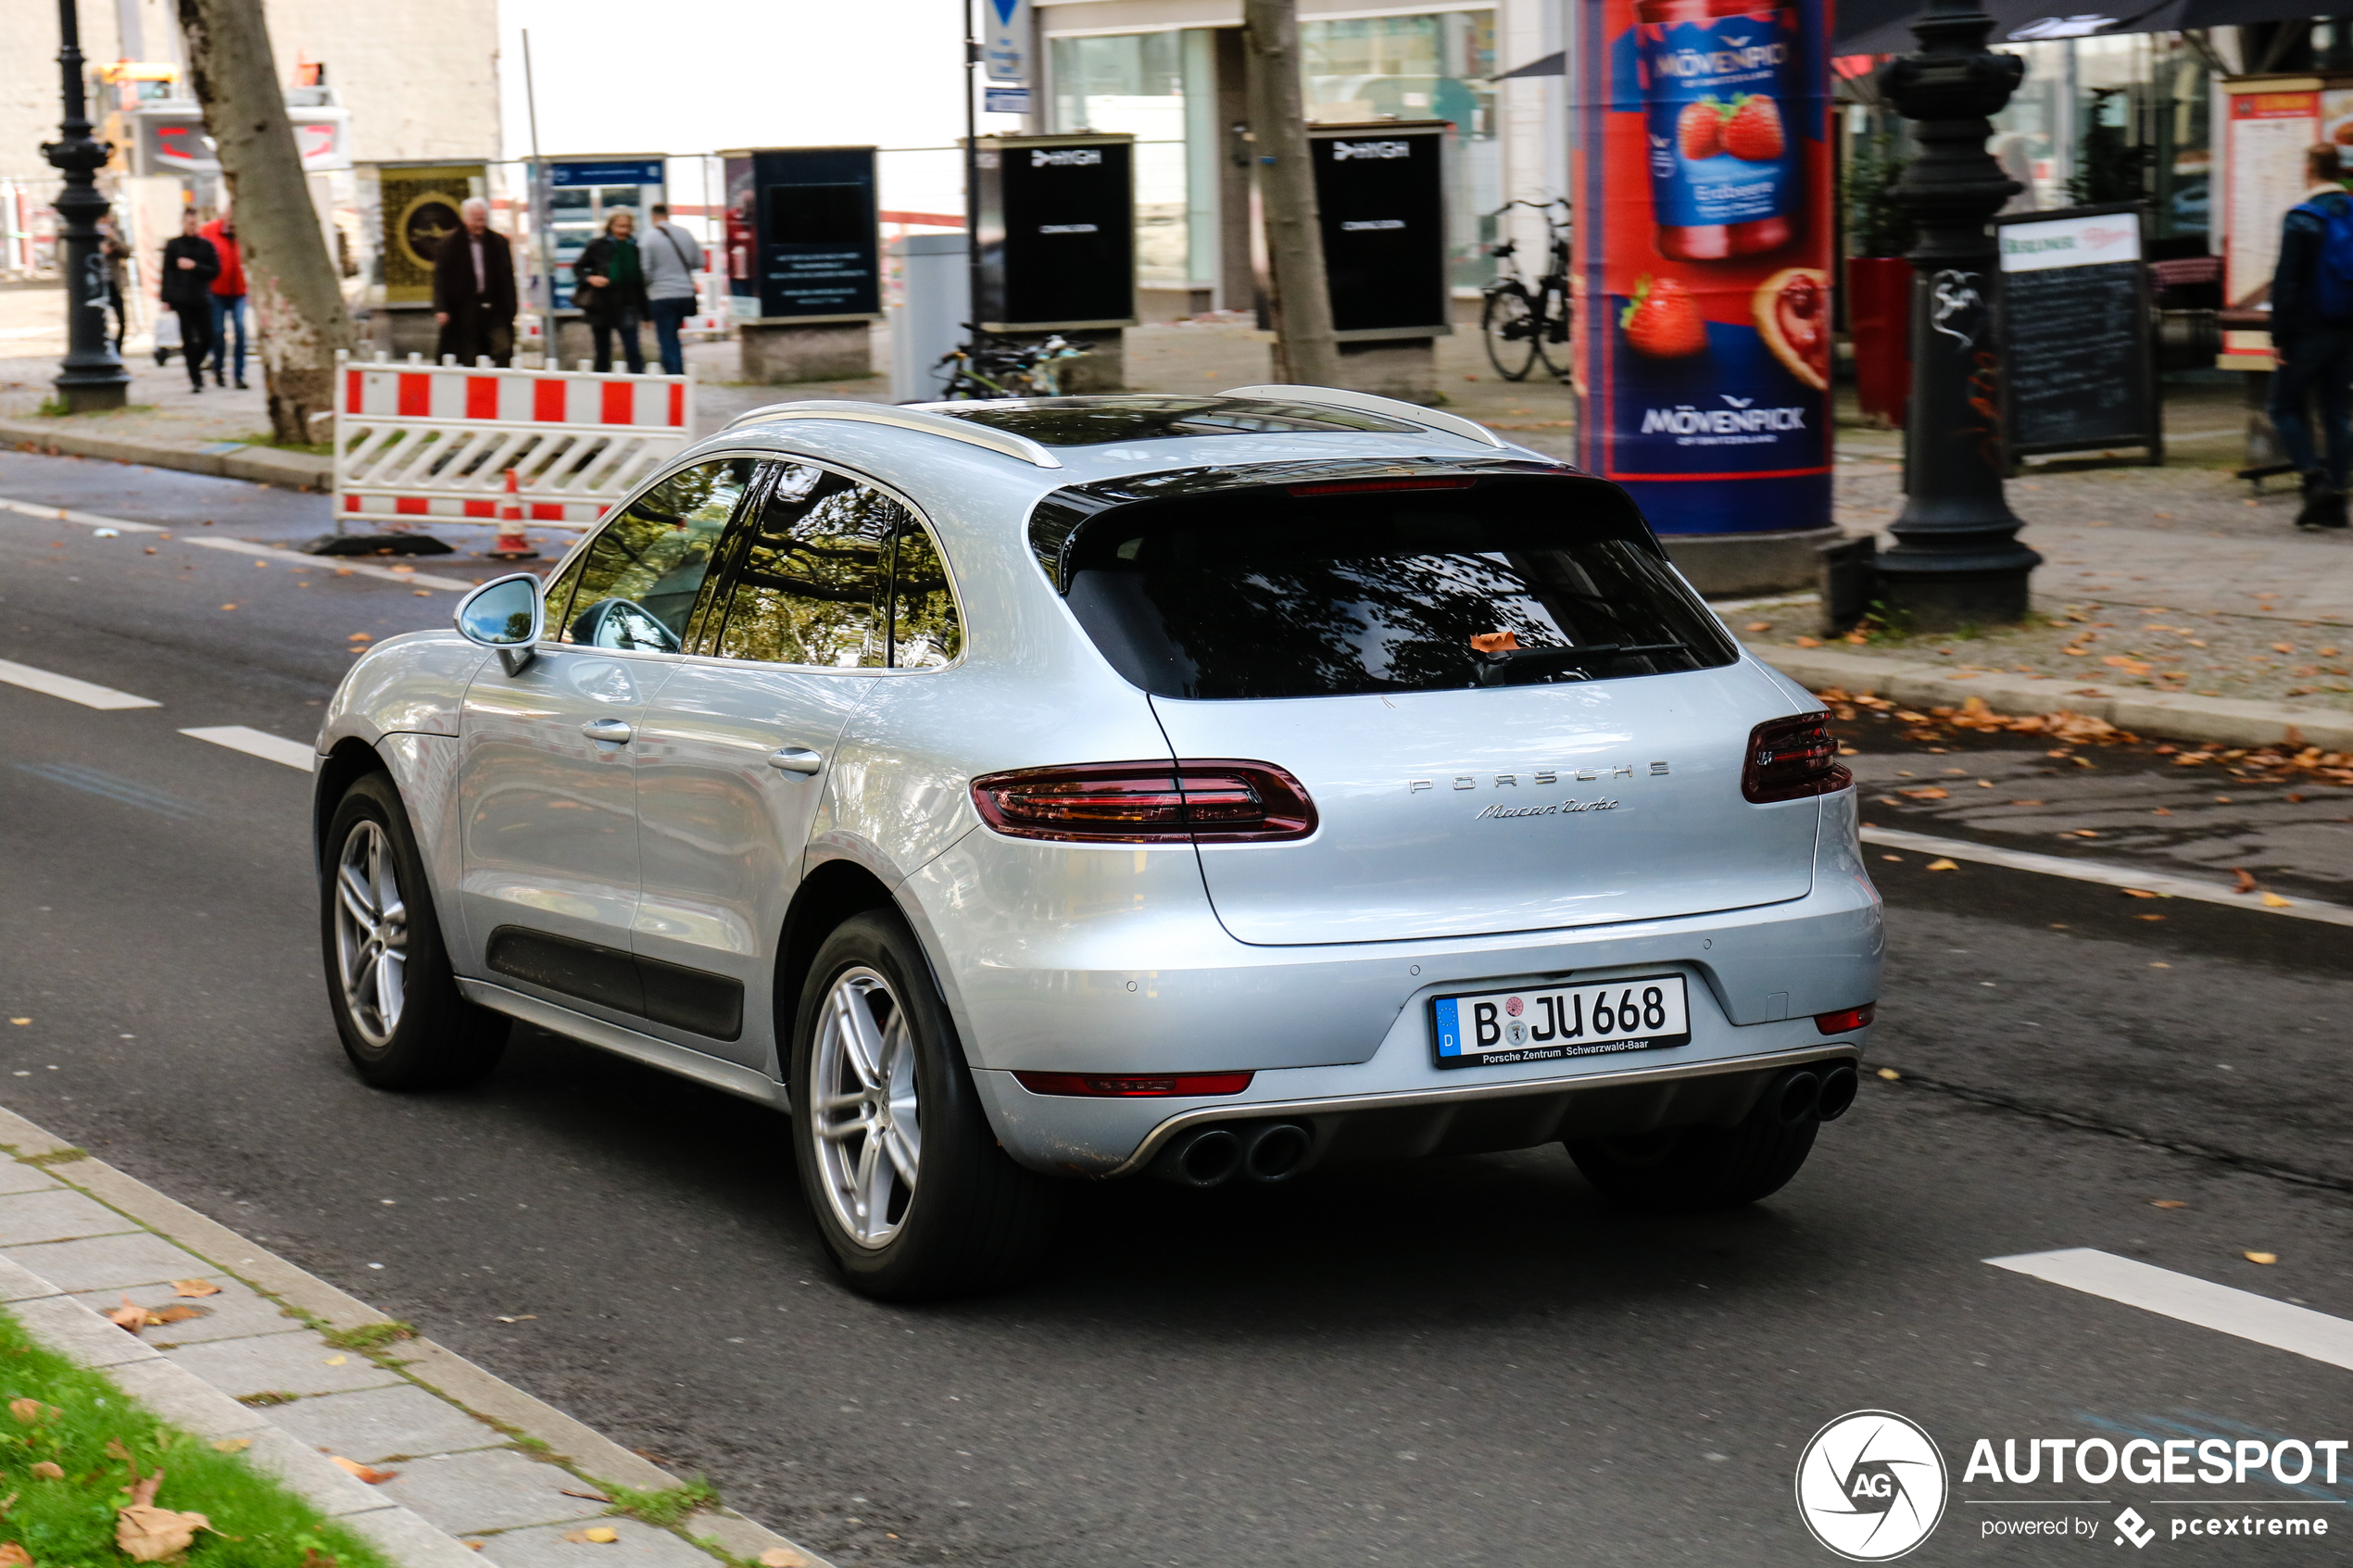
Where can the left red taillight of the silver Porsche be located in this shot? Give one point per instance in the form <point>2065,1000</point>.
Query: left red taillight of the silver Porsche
<point>1149,803</point>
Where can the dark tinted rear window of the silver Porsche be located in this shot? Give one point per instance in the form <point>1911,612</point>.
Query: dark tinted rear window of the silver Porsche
<point>1333,591</point>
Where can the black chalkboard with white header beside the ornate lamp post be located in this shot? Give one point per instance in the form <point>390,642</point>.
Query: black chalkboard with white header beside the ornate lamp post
<point>2077,359</point>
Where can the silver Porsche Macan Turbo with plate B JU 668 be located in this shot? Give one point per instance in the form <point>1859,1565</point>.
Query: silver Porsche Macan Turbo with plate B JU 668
<point>1102,786</point>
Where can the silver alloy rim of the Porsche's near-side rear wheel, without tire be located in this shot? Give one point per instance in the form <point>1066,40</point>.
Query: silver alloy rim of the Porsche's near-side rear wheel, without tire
<point>862,1106</point>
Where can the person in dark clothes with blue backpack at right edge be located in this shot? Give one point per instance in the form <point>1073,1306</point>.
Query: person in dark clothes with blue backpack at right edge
<point>2312,335</point>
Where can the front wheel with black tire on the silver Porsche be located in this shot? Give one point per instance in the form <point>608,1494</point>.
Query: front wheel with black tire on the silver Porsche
<point>389,979</point>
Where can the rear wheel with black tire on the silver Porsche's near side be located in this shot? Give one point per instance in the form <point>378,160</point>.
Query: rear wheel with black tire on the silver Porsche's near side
<point>924,1217</point>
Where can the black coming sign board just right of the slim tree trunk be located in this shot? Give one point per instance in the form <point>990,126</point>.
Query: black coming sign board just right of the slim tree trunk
<point>1385,225</point>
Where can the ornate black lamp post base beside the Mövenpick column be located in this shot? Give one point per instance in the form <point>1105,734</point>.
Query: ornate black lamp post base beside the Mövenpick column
<point>1957,558</point>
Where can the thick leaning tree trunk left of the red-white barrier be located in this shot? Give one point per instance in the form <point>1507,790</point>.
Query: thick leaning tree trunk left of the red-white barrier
<point>291,281</point>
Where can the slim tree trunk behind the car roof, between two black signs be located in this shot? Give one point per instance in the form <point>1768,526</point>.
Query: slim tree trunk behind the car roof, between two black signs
<point>1300,302</point>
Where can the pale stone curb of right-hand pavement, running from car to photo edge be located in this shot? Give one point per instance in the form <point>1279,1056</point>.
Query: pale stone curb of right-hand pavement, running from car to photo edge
<point>2175,716</point>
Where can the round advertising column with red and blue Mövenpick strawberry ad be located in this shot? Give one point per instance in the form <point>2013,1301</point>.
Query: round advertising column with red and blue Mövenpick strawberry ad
<point>1700,166</point>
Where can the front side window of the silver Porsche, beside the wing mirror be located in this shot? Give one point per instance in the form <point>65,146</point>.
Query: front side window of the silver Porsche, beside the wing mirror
<point>644,572</point>
